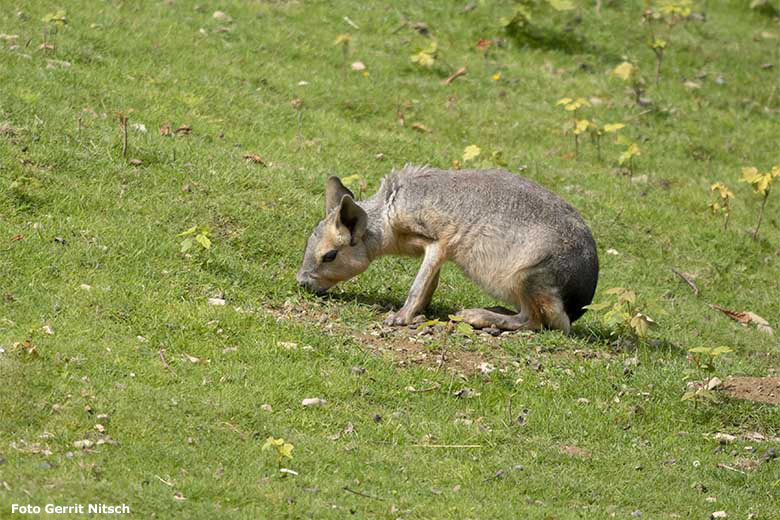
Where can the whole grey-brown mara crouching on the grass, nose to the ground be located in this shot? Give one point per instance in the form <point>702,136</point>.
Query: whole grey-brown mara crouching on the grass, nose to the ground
<point>520,242</point>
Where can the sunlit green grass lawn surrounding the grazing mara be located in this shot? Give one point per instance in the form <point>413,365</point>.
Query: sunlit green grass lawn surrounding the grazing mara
<point>188,436</point>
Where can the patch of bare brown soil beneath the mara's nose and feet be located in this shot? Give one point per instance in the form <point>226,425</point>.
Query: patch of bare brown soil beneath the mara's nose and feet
<point>432,347</point>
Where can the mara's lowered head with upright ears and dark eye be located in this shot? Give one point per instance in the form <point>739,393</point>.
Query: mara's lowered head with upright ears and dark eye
<point>336,250</point>
